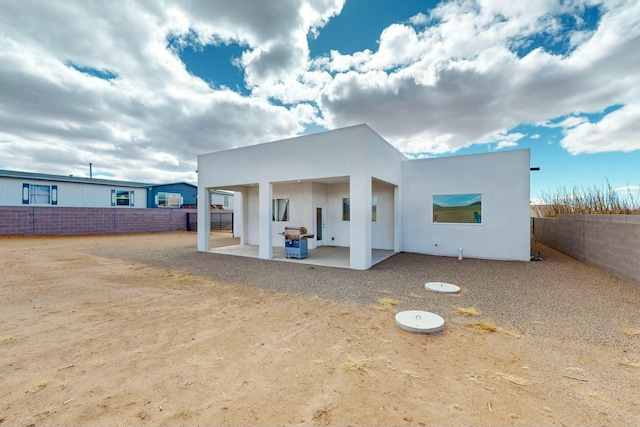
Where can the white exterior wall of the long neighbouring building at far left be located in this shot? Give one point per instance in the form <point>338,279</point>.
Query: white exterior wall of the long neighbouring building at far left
<point>70,194</point>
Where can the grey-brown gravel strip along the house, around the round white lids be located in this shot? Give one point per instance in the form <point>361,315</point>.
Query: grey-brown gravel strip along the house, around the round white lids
<point>558,296</point>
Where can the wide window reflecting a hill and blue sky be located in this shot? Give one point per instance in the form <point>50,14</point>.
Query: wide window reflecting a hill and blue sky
<point>458,208</point>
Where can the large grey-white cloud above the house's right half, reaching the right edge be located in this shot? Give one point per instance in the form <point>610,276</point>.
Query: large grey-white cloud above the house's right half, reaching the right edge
<point>461,78</point>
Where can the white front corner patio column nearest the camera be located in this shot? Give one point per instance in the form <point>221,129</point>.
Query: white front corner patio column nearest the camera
<point>360,192</point>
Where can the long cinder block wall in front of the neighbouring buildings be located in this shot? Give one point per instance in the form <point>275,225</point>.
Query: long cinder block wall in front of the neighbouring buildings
<point>65,220</point>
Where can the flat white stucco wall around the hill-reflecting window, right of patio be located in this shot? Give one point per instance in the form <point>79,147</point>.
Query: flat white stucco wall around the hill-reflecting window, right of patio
<point>503,180</point>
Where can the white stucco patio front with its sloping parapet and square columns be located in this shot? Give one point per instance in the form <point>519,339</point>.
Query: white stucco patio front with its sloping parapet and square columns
<point>352,153</point>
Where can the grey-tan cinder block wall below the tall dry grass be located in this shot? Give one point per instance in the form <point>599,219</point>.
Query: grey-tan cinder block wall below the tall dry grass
<point>608,242</point>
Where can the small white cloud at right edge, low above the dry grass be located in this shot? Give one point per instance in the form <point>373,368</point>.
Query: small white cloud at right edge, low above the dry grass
<point>617,131</point>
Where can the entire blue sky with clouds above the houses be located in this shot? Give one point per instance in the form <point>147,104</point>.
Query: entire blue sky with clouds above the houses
<point>140,88</point>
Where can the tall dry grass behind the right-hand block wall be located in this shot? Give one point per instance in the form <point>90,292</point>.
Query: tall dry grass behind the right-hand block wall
<point>593,201</point>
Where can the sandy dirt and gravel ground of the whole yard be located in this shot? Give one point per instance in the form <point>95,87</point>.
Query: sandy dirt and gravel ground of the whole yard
<point>91,334</point>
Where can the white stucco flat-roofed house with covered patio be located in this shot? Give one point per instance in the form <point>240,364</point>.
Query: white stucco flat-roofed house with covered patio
<point>349,187</point>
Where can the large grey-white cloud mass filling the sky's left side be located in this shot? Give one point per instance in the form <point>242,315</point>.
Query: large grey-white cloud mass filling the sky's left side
<point>151,120</point>
